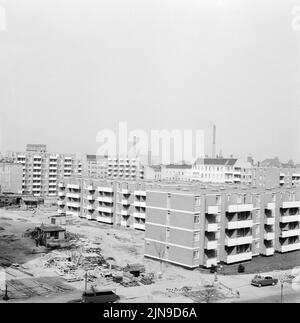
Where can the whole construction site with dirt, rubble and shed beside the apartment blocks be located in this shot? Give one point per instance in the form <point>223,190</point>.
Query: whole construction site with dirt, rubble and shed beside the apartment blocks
<point>42,262</point>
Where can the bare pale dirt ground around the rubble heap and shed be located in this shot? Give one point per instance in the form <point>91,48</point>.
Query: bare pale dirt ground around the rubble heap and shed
<point>32,282</point>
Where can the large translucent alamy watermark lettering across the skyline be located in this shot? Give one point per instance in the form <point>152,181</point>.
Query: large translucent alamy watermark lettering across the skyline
<point>171,146</point>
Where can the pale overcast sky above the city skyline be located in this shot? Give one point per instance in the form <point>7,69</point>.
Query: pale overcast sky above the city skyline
<point>71,68</point>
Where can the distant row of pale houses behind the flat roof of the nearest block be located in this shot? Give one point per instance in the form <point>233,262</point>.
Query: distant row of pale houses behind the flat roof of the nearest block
<point>225,171</point>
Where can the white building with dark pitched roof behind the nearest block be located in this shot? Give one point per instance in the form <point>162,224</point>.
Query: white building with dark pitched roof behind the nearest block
<point>222,170</point>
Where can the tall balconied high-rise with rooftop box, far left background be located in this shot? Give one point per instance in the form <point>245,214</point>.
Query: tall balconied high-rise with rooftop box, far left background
<point>43,170</point>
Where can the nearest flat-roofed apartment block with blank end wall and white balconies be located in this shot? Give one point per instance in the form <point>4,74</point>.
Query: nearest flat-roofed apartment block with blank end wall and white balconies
<point>203,227</point>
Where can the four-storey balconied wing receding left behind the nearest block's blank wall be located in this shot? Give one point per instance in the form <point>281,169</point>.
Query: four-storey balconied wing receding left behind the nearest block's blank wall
<point>107,201</point>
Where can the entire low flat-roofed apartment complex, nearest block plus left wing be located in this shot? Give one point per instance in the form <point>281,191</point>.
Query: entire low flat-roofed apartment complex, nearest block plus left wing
<point>191,224</point>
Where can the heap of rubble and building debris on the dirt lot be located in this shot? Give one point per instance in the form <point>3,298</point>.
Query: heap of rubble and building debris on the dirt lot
<point>85,261</point>
